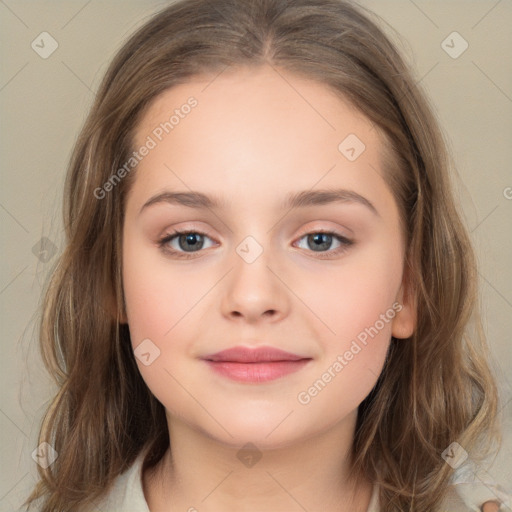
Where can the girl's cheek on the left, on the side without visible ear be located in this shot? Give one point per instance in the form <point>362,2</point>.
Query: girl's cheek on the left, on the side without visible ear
<point>159,306</point>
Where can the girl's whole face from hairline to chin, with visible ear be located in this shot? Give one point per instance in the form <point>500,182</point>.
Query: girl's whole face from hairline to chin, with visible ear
<point>319,278</point>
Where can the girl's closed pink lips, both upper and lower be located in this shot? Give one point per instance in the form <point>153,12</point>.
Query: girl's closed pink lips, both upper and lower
<point>260,364</point>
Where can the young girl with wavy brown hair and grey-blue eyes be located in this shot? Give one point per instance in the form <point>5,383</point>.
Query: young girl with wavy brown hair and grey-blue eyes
<point>265,299</point>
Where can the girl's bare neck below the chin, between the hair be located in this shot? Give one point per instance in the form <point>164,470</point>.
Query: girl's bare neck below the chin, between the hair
<point>201,474</point>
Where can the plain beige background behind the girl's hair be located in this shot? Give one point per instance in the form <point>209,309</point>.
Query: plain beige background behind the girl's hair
<point>44,102</point>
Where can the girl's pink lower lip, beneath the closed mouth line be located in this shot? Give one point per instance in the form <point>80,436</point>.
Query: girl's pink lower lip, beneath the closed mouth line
<point>257,372</point>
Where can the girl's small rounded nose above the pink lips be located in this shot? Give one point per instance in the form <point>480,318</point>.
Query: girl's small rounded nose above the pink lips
<point>255,291</point>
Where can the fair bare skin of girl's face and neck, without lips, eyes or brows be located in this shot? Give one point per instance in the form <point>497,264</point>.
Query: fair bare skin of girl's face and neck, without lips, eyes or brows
<point>251,141</point>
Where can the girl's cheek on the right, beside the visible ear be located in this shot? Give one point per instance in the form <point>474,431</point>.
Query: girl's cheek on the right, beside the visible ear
<point>358,305</point>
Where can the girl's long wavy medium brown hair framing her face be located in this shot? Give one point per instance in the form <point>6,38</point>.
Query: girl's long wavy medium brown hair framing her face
<point>436,387</point>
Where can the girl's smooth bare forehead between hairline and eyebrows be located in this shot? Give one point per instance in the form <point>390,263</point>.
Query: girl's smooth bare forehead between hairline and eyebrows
<point>257,129</point>
